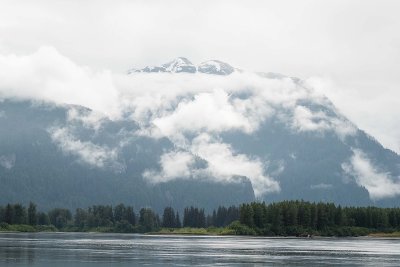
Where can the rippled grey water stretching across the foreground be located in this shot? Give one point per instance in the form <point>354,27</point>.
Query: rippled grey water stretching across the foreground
<point>97,249</point>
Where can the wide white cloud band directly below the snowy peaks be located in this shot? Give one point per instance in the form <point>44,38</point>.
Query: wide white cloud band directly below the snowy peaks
<point>150,96</point>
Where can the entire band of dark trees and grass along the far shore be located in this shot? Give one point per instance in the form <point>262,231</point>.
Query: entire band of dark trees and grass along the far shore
<point>281,219</point>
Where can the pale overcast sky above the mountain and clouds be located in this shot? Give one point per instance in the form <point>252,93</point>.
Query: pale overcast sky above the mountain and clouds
<point>350,50</point>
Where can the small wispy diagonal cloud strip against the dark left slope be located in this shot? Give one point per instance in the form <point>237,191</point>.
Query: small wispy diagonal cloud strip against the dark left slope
<point>87,152</point>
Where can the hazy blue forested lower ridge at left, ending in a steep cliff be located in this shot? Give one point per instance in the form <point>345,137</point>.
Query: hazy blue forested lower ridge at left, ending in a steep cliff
<point>34,168</point>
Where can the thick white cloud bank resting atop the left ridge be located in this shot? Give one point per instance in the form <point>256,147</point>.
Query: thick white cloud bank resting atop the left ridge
<point>46,75</point>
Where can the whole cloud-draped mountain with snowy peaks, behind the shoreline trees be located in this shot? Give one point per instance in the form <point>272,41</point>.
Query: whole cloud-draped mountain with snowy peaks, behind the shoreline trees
<point>204,135</point>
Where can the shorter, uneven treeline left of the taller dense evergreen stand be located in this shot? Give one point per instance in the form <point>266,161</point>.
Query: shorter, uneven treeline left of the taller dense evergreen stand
<point>120,218</point>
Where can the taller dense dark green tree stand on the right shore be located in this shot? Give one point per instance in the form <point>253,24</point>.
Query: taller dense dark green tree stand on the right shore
<point>296,218</point>
